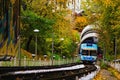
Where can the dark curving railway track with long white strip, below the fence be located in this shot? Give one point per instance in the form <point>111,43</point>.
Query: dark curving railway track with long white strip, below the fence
<point>66,72</point>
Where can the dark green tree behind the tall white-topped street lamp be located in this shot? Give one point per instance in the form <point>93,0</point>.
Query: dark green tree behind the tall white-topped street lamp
<point>31,21</point>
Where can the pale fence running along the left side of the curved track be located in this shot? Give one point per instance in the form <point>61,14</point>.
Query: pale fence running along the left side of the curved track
<point>33,62</point>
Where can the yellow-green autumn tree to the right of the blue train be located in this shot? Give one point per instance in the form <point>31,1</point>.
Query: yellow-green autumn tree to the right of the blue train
<point>106,15</point>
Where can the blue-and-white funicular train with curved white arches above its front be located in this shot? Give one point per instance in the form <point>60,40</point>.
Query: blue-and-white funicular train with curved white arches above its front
<point>88,45</point>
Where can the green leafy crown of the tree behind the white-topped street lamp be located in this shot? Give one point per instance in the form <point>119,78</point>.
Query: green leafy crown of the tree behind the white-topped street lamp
<point>32,21</point>
